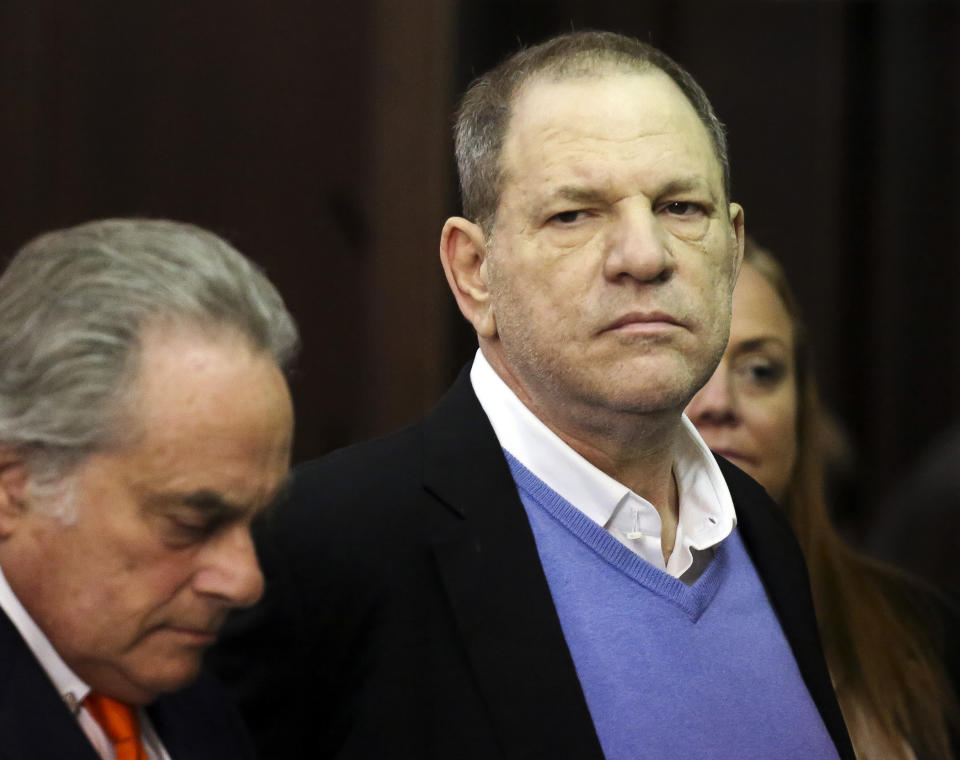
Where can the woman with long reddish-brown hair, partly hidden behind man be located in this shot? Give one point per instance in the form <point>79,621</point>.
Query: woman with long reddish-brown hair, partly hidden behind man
<point>884,635</point>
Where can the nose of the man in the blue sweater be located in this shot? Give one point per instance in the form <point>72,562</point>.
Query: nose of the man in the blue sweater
<point>637,246</point>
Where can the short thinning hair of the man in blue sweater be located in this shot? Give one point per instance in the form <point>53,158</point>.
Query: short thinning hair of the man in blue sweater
<point>485,110</point>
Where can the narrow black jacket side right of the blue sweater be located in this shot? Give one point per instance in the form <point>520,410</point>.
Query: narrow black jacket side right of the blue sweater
<point>765,532</point>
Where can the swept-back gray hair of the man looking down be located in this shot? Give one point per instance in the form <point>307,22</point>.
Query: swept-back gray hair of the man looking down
<point>73,307</point>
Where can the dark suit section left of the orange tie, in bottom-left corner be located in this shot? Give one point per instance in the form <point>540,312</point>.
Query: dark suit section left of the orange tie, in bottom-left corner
<point>35,724</point>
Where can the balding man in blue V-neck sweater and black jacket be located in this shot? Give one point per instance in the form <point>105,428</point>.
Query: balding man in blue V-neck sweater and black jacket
<point>552,564</point>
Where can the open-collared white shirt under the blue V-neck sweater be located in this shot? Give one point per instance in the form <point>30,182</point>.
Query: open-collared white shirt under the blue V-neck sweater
<point>706,514</point>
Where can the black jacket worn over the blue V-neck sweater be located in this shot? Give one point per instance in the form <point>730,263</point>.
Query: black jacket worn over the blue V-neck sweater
<point>407,614</point>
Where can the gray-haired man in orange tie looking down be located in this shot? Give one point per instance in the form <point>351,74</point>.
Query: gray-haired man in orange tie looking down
<point>144,422</point>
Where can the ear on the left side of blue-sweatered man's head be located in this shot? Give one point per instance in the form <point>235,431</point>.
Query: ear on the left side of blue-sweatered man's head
<point>463,254</point>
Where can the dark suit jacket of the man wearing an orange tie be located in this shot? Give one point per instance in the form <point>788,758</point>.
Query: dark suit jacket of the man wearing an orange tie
<point>197,723</point>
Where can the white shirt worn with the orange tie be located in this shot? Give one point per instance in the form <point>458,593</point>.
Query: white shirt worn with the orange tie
<point>70,687</point>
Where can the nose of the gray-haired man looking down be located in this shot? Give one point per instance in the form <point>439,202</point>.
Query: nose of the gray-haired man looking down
<point>230,570</point>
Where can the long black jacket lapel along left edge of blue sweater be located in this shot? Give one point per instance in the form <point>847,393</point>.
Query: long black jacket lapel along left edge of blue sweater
<point>497,590</point>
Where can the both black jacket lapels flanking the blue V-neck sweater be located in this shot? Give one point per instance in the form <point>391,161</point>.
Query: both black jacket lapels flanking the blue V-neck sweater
<point>499,595</point>
